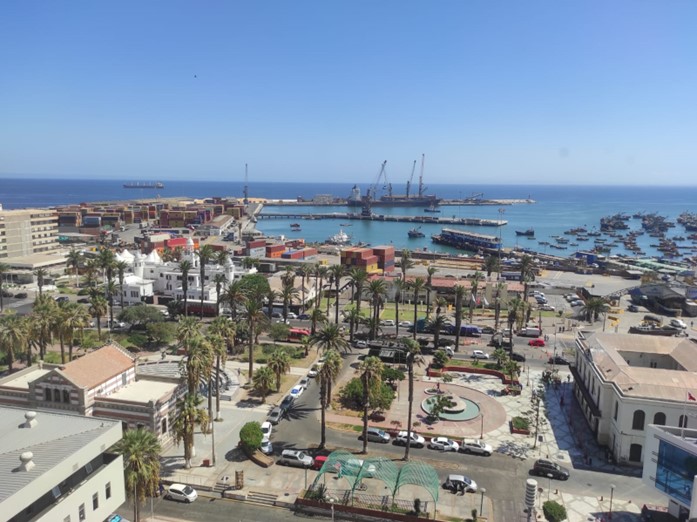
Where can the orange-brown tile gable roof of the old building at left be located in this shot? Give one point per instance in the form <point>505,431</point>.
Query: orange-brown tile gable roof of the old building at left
<point>98,366</point>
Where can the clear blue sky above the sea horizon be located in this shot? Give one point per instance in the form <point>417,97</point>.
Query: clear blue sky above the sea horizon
<point>557,91</point>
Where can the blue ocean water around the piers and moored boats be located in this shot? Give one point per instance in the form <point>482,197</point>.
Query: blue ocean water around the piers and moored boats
<point>556,208</point>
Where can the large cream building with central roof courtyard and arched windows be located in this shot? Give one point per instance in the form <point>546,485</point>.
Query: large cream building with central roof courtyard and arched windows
<point>624,382</point>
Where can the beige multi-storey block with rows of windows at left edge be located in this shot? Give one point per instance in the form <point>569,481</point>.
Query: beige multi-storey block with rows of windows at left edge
<point>27,232</point>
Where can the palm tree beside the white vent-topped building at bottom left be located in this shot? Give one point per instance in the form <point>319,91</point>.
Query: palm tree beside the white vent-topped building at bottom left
<point>141,458</point>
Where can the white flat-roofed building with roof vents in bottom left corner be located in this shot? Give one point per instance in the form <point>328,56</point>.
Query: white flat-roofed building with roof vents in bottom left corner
<point>56,467</point>
